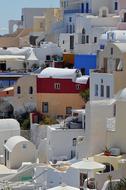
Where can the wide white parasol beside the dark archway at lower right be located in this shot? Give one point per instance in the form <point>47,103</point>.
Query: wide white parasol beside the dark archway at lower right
<point>88,165</point>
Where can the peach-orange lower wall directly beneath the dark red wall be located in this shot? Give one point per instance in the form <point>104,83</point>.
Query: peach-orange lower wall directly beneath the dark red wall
<point>59,104</point>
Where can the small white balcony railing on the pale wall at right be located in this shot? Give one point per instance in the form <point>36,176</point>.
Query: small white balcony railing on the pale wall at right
<point>110,125</point>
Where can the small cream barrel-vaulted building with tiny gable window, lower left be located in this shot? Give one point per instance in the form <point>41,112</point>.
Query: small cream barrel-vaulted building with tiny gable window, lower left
<point>19,150</point>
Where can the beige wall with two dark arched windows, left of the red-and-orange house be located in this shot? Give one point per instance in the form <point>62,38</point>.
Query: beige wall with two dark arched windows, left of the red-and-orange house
<point>24,98</point>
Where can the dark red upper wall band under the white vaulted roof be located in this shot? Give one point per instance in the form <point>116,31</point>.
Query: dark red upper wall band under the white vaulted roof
<point>46,85</point>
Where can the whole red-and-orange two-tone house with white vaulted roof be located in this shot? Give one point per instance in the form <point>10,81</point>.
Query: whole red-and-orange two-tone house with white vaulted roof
<point>58,91</point>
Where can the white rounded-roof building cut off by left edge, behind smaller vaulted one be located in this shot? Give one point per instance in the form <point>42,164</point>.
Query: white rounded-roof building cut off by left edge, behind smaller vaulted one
<point>8,128</point>
